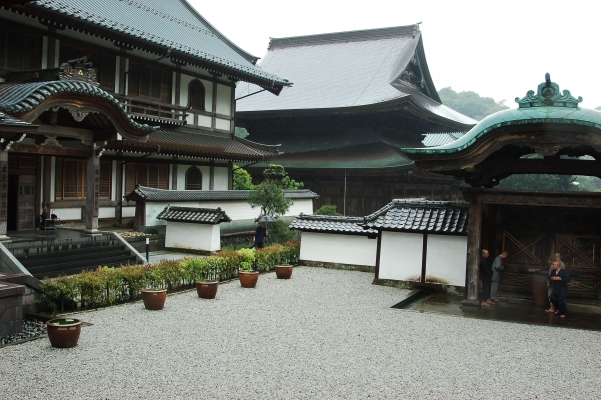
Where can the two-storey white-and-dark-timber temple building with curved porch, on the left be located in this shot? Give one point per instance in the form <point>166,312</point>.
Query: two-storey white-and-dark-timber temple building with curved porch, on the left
<point>95,100</point>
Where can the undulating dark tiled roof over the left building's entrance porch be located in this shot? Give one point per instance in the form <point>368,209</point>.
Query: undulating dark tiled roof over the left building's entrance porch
<point>20,98</point>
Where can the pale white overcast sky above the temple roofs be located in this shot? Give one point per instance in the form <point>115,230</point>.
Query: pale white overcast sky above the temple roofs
<point>499,49</point>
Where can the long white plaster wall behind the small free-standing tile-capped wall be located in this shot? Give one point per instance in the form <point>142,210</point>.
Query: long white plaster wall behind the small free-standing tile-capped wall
<point>242,214</point>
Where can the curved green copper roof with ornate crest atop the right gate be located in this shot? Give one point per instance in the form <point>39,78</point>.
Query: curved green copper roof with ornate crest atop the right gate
<point>548,106</point>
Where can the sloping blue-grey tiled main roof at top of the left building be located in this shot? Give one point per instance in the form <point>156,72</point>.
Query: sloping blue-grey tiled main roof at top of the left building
<point>172,24</point>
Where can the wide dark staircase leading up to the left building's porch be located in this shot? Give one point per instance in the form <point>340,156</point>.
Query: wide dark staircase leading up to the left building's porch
<point>67,256</point>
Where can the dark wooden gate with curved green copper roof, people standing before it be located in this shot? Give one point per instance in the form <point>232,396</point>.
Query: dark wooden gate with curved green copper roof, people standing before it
<point>532,226</point>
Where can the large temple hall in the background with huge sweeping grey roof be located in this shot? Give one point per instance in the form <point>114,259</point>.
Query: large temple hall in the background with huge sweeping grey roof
<point>358,98</point>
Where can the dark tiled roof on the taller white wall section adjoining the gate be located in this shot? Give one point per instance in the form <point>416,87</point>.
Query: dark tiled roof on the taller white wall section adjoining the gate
<point>419,215</point>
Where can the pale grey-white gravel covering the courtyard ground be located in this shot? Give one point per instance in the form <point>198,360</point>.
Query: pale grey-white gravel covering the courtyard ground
<point>323,334</point>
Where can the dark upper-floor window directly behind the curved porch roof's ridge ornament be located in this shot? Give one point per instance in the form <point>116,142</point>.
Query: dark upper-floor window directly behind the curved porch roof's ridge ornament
<point>103,62</point>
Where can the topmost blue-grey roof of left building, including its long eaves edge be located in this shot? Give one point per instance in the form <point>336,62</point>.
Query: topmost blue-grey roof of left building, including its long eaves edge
<point>167,27</point>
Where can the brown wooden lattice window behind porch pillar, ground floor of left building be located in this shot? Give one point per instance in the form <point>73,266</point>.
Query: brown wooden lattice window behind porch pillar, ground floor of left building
<point>70,179</point>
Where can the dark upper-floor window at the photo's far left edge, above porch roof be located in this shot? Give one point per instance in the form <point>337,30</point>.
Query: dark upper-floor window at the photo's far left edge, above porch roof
<point>19,51</point>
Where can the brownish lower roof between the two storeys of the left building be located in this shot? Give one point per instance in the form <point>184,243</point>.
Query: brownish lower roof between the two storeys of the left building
<point>200,144</point>
